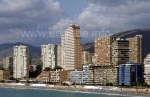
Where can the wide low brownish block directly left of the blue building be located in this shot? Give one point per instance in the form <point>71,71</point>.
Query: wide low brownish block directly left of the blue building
<point>103,75</point>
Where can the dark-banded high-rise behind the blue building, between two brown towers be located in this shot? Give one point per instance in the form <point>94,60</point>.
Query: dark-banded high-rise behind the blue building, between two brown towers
<point>120,52</point>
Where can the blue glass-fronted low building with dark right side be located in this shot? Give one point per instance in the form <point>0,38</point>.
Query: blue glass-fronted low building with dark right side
<point>130,74</point>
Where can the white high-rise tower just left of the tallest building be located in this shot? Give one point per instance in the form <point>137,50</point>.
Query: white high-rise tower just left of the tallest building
<point>48,56</point>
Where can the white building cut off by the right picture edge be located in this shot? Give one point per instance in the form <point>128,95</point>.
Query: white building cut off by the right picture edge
<point>147,69</point>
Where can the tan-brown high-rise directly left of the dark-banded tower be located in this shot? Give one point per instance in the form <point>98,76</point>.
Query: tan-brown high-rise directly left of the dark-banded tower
<point>103,51</point>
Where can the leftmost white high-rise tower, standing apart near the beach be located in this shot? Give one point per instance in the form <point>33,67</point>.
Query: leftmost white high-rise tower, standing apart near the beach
<point>21,61</point>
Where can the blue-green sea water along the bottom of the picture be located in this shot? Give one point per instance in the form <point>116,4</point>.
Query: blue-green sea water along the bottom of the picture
<point>18,92</point>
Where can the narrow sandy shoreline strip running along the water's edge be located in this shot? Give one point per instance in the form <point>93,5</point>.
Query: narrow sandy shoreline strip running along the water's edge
<point>79,89</point>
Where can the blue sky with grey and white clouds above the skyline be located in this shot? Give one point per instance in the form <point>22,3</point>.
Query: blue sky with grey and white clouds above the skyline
<point>39,22</point>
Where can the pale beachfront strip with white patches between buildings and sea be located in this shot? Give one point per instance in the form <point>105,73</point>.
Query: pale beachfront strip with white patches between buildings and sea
<point>87,89</point>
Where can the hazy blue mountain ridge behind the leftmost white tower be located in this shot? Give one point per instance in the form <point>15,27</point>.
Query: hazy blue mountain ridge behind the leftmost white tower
<point>7,50</point>
